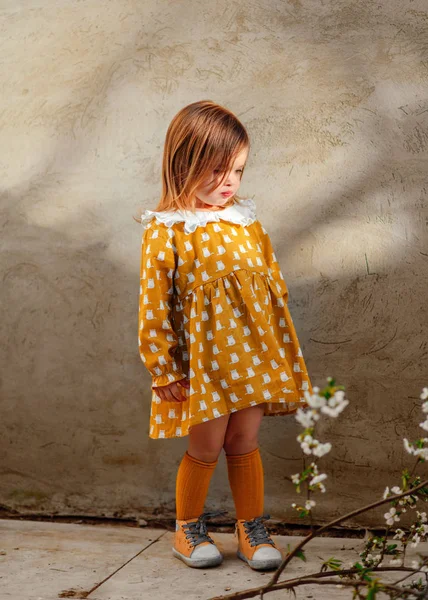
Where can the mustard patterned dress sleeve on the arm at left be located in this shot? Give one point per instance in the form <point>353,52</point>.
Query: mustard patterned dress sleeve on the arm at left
<point>156,337</point>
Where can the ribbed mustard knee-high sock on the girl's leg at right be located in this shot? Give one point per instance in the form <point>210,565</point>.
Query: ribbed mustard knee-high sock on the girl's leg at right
<point>246,478</point>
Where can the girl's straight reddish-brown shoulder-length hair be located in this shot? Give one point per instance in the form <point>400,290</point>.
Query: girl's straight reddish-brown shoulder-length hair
<point>203,136</point>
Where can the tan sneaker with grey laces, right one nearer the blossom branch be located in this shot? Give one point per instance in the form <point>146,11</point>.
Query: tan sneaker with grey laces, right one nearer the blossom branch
<point>255,545</point>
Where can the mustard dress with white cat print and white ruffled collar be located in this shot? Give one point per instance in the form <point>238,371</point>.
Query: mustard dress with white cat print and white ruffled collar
<point>213,308</point>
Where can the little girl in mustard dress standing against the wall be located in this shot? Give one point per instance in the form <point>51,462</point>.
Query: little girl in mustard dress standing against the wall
<point>215,331</point>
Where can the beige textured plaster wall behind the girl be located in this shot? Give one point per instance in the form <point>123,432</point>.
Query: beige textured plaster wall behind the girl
<point>335,97</point>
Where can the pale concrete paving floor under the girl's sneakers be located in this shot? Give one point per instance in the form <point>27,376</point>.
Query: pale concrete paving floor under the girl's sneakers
<point>48,561</point>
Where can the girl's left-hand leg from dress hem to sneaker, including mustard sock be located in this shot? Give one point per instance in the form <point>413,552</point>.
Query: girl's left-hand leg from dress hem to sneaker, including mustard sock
<point>197,466</point>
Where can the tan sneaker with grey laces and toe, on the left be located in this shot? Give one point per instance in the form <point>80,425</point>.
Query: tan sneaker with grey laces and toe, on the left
<point>192,543</point>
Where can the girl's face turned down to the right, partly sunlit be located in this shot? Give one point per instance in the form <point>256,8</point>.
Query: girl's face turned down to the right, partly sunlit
<point>216,199</point>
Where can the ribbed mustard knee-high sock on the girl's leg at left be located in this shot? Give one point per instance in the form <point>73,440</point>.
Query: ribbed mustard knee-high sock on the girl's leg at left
<point>192,483</point>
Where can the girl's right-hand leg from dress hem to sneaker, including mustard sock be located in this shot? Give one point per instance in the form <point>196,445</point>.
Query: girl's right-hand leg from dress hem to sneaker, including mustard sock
<point>244,464</point>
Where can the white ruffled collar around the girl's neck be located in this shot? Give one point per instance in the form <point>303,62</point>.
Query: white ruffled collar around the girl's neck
<point>243,212</point>
